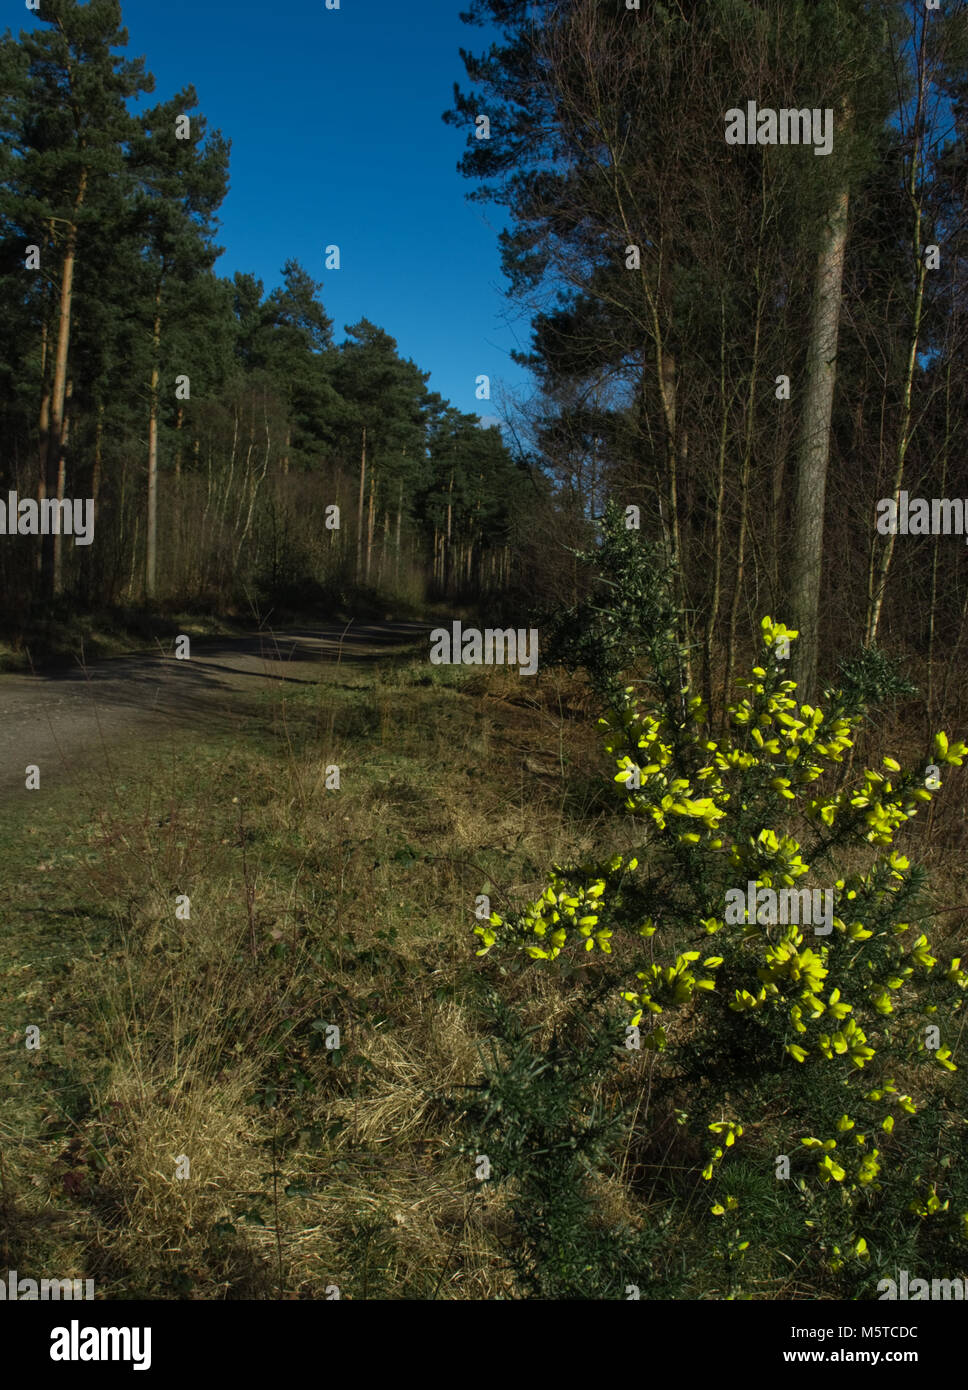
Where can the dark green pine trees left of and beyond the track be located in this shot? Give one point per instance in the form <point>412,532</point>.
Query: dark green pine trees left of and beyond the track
<point>213,423</point>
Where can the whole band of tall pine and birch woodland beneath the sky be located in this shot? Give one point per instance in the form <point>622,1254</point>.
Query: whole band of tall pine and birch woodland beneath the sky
<point>656,386</point>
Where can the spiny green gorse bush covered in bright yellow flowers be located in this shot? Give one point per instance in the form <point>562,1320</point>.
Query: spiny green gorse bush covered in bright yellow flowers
<point>807,1067</point>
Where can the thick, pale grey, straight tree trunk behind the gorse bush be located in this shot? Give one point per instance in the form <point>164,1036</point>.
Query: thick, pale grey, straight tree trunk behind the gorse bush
<point>814,448</point>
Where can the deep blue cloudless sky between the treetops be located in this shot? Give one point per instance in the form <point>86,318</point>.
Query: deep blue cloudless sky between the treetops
<point>337,138</point>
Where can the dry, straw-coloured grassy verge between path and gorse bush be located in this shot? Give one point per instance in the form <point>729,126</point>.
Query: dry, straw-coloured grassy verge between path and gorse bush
<point>197,1031</point>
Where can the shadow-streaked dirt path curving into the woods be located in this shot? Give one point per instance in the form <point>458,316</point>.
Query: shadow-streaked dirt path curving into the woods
<point>67,721</point>
